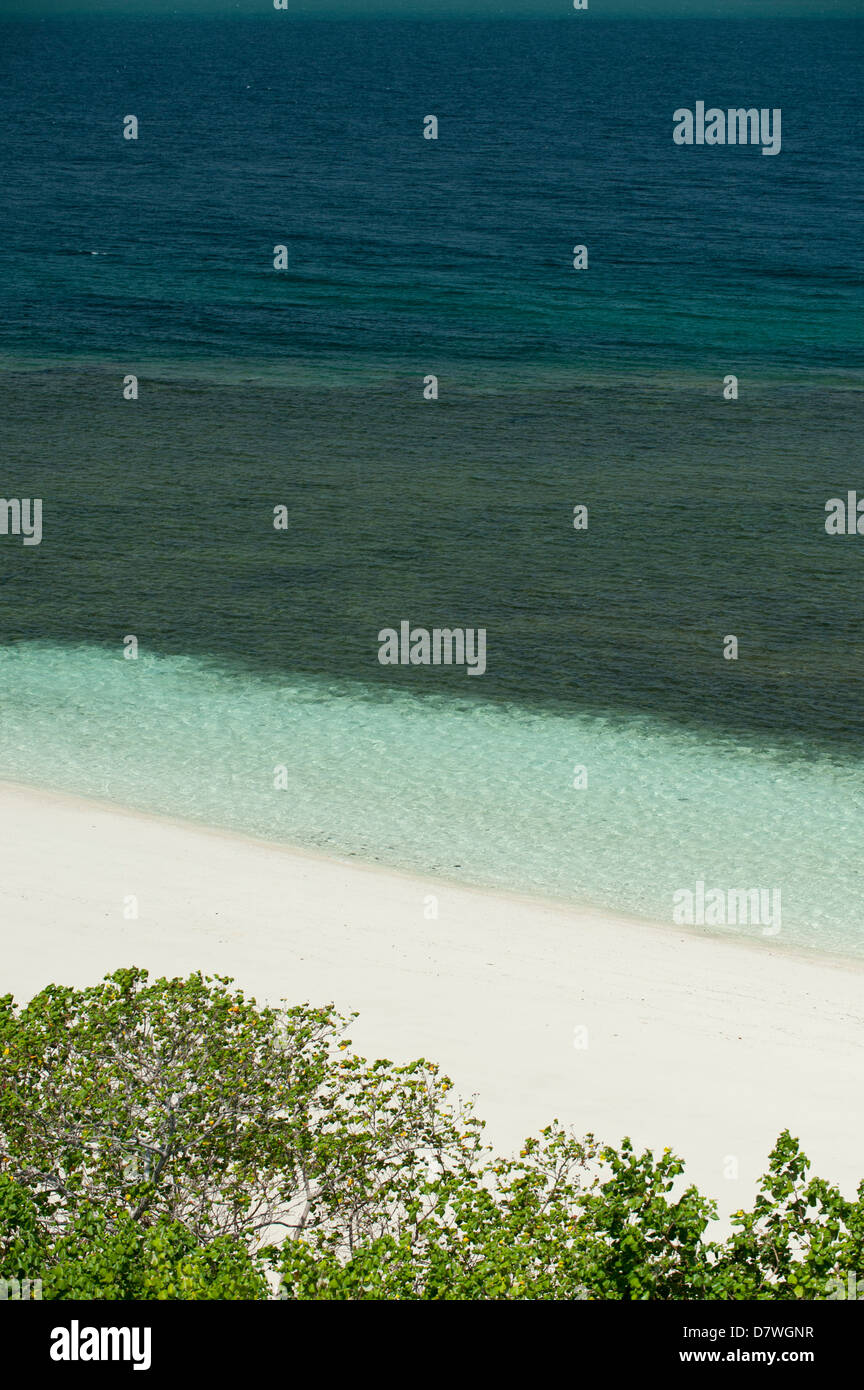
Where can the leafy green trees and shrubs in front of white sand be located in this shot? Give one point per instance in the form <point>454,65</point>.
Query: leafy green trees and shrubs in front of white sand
<point>173,1139</point>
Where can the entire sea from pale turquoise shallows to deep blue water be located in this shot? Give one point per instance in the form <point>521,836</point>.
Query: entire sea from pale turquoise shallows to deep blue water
<point>305,389</point>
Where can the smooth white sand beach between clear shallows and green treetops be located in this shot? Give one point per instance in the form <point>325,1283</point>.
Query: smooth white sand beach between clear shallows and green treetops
<point>709,1046</point>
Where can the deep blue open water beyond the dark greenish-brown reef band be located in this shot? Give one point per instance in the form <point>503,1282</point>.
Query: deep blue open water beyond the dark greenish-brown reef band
<point>270,131</point>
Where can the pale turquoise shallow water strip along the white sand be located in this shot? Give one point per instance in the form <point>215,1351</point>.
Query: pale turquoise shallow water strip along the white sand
<point>448,786</point>
